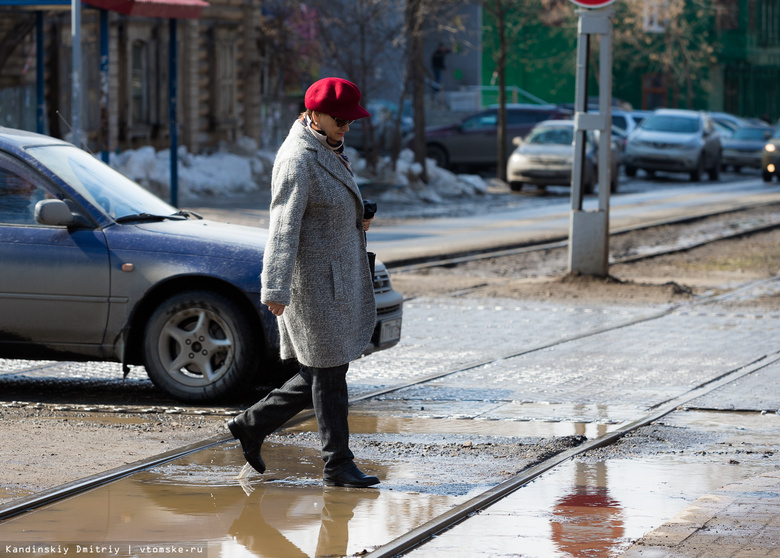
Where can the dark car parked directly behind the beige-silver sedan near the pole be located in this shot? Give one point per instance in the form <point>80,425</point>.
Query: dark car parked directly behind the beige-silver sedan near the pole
<point>473,141</point>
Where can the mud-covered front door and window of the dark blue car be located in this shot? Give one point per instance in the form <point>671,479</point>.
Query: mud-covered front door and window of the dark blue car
<point>54,280</point>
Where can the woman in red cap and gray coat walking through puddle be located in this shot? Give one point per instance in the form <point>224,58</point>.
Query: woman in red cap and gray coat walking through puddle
<point>316,280</point>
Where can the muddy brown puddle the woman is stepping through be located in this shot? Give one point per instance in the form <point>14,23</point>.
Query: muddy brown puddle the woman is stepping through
<point>197,503</point>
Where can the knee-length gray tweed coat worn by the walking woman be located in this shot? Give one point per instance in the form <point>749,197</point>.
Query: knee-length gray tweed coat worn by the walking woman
<point>315,259</point>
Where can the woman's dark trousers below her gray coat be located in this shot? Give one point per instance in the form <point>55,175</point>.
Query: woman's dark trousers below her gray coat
<point>325,389</point>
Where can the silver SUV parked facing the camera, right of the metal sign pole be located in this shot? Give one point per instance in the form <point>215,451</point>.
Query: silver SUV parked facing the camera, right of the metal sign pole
<point>675,140</point>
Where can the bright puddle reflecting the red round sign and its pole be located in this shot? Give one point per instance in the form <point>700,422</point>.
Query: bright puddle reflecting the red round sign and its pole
<point>583,509</point>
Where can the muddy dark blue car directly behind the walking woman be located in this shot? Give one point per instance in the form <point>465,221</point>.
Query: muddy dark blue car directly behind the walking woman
<point>96,268</point>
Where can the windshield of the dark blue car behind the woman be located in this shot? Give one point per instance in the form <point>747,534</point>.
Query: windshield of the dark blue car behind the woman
<point>98,183</point>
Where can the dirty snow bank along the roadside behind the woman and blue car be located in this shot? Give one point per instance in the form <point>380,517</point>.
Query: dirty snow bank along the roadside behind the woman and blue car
<point>241,168</point>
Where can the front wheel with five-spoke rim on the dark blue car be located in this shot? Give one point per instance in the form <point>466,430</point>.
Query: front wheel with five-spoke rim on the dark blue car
<point>199,346</point>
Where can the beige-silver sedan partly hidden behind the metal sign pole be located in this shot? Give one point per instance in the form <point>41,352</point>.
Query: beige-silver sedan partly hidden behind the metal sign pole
<point>546,158</point>
